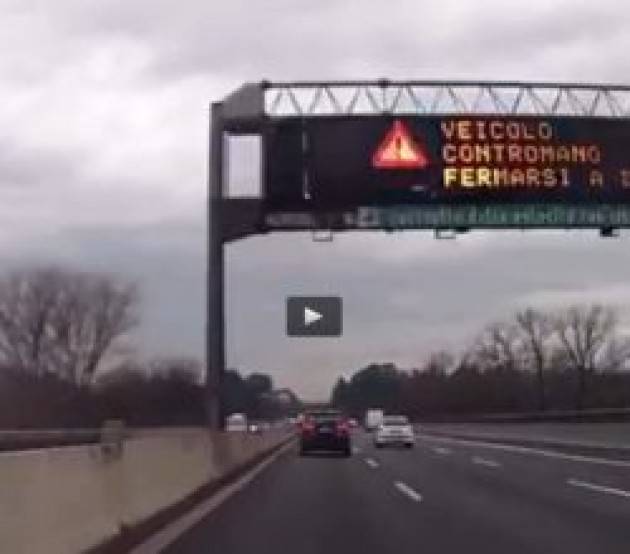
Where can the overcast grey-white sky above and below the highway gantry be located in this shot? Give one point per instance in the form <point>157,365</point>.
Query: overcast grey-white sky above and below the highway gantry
<point>103,149</point>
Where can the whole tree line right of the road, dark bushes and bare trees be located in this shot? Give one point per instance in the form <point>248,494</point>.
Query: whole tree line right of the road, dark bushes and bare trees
<point>569,359</point>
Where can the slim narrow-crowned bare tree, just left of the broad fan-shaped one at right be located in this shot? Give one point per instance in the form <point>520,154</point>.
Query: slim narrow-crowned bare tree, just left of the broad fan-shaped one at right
<point>537,332</point>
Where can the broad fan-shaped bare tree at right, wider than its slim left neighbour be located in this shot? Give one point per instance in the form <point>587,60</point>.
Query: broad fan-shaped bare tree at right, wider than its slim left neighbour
<point>584,333</point>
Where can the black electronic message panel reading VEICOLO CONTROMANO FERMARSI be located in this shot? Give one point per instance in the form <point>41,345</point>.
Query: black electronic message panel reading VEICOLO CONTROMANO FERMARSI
<point>349,161</point>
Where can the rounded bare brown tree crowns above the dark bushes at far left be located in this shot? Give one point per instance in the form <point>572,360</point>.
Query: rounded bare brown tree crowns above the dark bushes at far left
<point>62,322</point>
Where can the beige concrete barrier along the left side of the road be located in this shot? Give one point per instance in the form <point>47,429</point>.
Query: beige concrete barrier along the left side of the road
<point>68,499</point>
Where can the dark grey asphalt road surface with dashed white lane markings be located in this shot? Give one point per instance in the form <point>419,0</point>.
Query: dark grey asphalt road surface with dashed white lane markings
<point>445,496</point>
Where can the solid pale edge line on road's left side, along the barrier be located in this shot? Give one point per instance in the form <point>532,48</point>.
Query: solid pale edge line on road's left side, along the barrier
<point>169,534</point>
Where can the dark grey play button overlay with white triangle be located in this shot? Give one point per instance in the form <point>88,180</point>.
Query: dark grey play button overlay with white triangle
<point>314,316</point>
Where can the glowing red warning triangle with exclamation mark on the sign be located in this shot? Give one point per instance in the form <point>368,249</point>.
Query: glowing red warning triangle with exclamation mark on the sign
<point>399,150</point>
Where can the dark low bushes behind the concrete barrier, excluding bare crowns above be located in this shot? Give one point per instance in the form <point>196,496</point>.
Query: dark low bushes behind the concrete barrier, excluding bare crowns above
<point>162,392</point>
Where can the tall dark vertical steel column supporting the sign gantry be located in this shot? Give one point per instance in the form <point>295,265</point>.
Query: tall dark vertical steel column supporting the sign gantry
<point>215,320</point>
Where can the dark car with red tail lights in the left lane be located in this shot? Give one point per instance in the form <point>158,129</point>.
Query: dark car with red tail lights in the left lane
<point>325,430</point>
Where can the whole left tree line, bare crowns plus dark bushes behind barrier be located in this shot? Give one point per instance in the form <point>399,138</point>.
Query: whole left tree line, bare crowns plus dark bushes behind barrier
<point>64,360</point>
